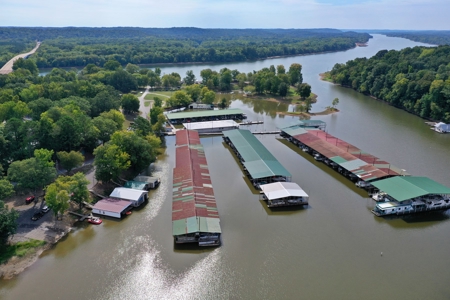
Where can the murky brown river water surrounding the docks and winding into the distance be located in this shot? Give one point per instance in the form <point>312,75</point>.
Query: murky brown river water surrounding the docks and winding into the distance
<point>328,250</point>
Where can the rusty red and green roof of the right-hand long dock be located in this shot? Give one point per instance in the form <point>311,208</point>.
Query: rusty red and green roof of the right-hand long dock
<point>362,164</point>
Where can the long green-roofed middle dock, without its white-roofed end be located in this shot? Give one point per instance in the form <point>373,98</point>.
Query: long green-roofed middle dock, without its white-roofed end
<point>259,164</point>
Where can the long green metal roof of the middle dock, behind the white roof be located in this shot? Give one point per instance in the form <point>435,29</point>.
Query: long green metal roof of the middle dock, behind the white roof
<point>260,163</point>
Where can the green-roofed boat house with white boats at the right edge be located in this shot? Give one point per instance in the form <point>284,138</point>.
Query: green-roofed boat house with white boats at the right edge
<point>410,194</point>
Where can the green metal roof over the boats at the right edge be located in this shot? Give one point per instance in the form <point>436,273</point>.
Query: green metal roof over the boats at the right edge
<point>403,188</point>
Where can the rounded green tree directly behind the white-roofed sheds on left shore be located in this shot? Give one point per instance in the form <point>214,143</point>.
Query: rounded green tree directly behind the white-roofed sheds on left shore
<point>109,162</point>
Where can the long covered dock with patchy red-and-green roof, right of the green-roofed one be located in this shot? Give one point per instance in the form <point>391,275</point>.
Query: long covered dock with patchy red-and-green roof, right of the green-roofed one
<point>350,161</point>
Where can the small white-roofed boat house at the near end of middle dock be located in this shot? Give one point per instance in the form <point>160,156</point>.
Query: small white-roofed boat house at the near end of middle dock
<point>283,194</point>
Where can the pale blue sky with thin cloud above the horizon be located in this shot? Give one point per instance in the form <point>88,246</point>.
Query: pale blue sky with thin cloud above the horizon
<point>341,14</point>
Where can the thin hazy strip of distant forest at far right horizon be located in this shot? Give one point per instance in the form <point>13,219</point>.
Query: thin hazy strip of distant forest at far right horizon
<point>434,37</point>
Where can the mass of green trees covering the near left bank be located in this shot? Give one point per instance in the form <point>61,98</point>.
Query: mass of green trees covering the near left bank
<point>59,117</point>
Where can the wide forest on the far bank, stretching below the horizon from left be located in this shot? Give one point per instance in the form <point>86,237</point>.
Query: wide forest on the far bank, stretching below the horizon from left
<point>66,47</point>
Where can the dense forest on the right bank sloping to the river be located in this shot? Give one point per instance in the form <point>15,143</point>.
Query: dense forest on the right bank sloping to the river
<point>415,79</point>
